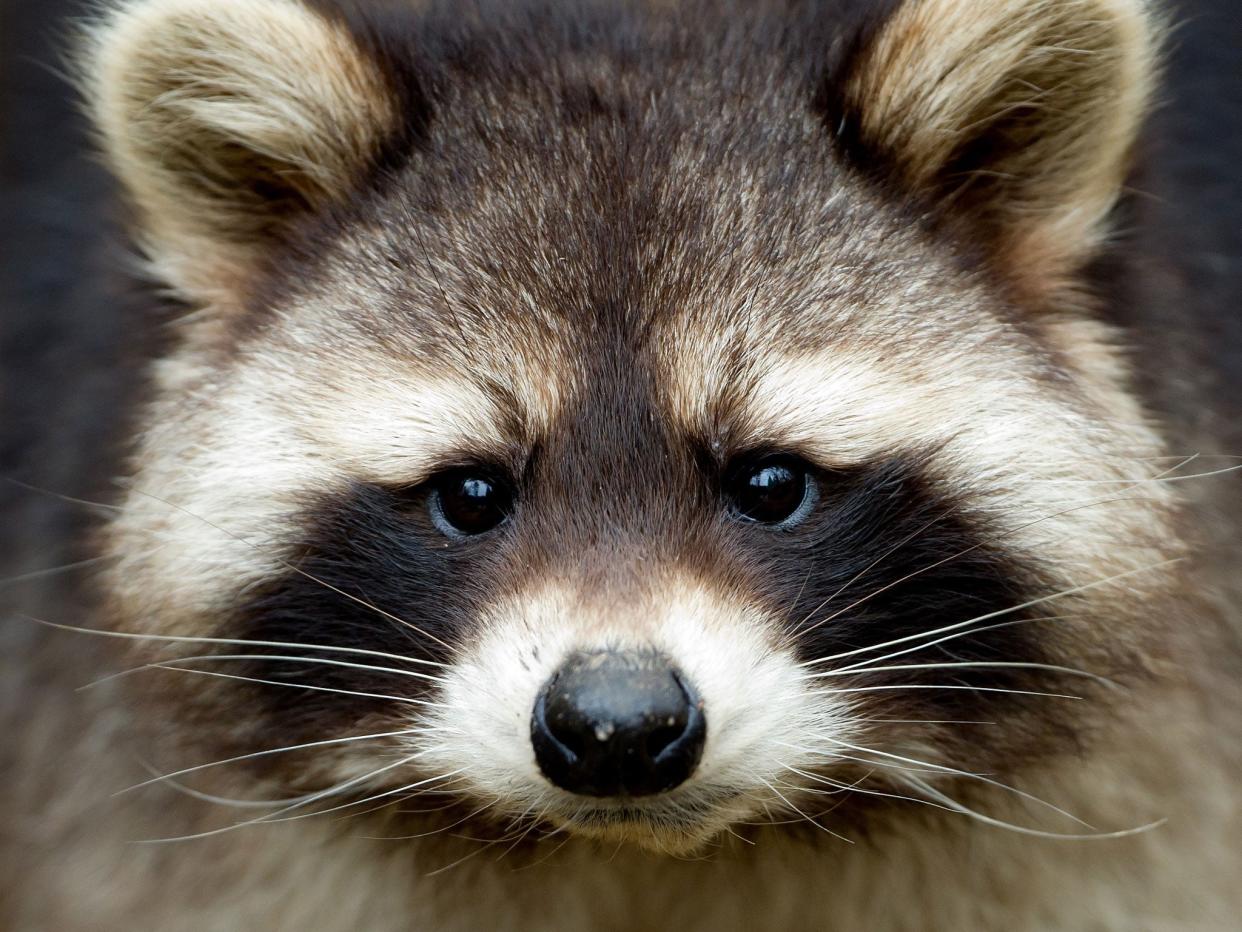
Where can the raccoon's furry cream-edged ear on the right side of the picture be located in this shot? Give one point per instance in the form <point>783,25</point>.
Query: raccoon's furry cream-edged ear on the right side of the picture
<point>1014,116</point>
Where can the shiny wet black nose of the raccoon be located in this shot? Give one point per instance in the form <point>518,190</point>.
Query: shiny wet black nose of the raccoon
<point>613,725</point>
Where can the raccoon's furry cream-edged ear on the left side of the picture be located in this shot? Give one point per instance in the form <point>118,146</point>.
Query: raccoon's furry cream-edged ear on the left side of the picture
<point>227,119</point>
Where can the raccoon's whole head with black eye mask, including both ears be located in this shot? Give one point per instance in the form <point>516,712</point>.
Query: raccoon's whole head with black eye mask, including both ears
<point>640,427</point>
